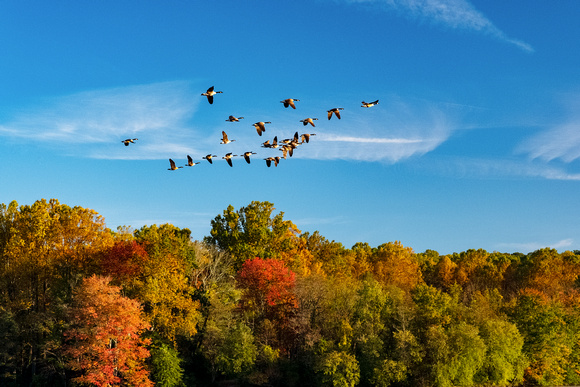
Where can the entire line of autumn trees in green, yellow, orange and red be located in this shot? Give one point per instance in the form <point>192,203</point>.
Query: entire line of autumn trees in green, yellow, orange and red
<point>257,302</point>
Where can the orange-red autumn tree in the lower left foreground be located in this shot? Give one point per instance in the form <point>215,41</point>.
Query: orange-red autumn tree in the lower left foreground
<point>104,343</point>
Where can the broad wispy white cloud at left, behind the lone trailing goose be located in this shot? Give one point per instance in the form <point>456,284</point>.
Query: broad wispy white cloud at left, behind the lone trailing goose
<point>93,123</point>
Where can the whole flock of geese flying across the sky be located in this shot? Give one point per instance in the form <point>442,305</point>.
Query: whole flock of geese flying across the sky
<point>286,146</point>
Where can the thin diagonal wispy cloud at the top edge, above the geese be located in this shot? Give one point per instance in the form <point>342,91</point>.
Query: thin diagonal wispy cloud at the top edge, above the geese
<point>457,14</point>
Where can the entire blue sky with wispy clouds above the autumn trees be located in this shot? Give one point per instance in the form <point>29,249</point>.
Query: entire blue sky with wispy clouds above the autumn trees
<point>475,142</point>
